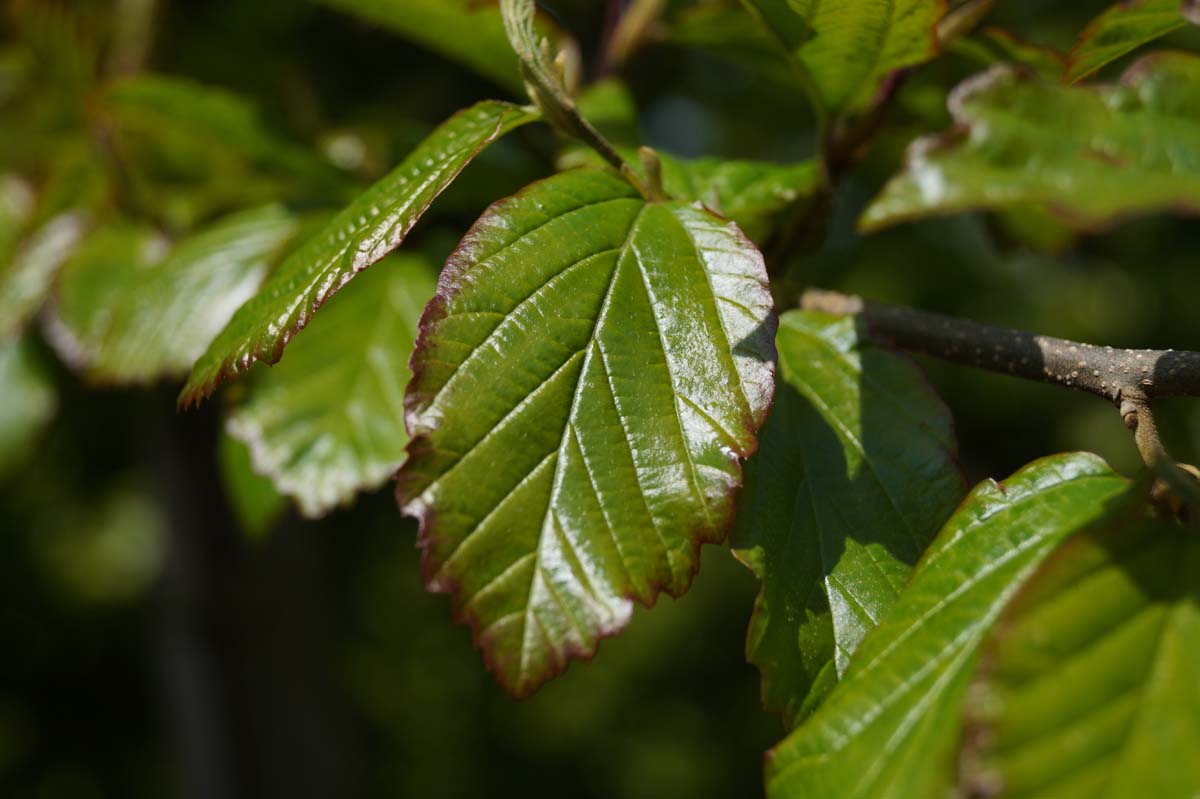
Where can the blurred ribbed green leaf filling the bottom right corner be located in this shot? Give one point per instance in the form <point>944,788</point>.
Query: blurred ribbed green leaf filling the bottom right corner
<point>1091,683</point>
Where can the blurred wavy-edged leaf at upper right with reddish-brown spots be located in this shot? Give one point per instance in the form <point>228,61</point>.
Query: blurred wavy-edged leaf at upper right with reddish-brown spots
<point>1089,153</point>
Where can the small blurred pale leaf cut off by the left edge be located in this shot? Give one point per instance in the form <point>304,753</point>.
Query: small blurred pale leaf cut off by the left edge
<point>27,279</point>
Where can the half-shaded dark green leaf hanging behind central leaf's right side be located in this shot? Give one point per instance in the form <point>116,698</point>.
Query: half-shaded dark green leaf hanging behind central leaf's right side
<point>854,478</point>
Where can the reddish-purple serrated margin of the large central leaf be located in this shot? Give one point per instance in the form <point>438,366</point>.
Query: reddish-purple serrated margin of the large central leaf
<point>457,267</point>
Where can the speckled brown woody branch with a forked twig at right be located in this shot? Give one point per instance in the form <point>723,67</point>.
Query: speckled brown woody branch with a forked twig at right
<point>1130,379</point>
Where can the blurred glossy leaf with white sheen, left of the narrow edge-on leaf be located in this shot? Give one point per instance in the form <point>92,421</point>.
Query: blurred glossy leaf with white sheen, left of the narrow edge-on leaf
<point>129,313</point>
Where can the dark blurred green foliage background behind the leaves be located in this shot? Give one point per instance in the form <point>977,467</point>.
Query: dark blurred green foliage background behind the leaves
<point>171,629</point>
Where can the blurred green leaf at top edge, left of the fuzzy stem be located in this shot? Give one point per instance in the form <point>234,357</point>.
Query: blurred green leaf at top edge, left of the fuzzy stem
<point>467,32</point>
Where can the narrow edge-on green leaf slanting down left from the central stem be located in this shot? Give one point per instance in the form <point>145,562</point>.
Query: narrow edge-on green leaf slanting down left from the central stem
<point>367,231</point>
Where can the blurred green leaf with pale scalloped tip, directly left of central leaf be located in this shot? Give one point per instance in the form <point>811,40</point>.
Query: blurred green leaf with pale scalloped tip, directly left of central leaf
<point>328,422</point>
